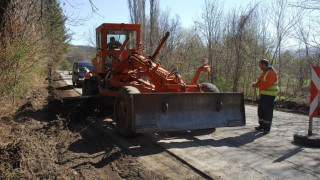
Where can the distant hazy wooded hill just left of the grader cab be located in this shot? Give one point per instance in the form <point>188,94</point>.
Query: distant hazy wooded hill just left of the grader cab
<point>80,53</point>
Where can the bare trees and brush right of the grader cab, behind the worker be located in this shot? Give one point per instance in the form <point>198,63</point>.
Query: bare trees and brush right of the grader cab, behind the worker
<point>281,31</point>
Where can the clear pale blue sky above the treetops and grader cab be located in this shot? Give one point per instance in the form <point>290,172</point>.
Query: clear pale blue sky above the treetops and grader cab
<point>116,11</point>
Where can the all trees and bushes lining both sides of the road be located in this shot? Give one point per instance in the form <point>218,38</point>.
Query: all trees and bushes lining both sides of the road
<point>34,42</point>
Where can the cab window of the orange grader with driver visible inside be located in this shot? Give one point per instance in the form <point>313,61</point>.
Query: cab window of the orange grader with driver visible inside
<point>116,38</point>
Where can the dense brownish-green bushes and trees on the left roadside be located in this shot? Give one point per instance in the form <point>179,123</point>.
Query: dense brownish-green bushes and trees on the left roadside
<point>33,40</point>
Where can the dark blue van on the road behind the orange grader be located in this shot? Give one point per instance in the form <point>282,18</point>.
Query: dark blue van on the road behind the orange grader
<point>78,72</point>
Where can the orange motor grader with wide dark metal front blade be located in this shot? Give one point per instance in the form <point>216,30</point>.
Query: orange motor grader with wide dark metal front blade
<point>149,98</point>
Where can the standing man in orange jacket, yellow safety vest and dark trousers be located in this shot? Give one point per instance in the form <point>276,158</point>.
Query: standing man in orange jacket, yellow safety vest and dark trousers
<point>268,90</point>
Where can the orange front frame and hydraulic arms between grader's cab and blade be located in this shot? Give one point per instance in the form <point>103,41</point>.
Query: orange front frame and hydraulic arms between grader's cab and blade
<point>130,71</point>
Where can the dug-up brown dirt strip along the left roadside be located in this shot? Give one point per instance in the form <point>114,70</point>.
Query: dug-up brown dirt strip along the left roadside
<point>71,138</point>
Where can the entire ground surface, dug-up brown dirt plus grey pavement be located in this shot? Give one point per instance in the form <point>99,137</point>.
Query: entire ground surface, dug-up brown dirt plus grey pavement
<point>74,137</point>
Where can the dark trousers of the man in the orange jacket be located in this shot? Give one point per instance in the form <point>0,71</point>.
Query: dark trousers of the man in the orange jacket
<point>265,111</point>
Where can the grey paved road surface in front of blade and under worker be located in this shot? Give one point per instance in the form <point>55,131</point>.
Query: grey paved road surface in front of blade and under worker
<point>242,153</point>
